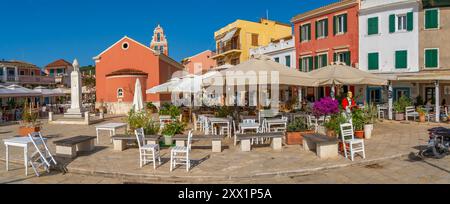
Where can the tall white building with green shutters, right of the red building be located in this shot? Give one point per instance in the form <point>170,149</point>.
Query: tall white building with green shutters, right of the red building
<point>389,45</point>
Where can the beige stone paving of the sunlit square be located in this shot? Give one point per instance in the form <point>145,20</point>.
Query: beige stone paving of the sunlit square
<point>390,140</point>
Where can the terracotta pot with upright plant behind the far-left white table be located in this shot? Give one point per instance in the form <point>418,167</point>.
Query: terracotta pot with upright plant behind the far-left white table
<point>29,123</point>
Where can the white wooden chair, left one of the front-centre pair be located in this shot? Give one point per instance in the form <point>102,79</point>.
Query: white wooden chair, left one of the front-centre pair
<point>147,153</point>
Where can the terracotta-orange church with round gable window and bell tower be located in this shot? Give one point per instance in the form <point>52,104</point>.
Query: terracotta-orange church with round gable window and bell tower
<point>119,66</point>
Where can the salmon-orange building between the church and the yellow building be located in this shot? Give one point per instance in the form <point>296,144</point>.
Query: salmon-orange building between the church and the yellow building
<point>200,63</point>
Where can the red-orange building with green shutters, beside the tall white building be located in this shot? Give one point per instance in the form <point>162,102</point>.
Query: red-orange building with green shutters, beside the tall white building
<point>327,35</point>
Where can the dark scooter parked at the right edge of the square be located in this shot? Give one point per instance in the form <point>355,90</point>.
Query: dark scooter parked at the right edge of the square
<point>439,144</point>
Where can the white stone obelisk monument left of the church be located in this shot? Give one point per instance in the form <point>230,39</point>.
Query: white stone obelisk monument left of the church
<point>75,110</point>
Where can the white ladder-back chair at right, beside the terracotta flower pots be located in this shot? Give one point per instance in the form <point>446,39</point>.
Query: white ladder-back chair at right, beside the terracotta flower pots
<point>354,145</point>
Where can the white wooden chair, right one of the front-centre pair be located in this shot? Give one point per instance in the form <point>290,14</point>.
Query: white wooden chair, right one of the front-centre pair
<point>180,155</point>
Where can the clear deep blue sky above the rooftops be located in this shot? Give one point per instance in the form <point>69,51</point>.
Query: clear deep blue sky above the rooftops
<point>41,31</point>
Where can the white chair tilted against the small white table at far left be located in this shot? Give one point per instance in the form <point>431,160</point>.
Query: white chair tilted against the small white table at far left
<point>42,157</point>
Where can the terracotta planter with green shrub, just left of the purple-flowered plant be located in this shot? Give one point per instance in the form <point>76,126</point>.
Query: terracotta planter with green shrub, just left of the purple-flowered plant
<point>295,132</point>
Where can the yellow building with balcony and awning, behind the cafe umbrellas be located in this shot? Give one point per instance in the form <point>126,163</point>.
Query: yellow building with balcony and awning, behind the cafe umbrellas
<point>233,42</point>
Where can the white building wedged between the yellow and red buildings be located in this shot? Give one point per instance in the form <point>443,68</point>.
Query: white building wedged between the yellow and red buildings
<point>281,51</point>
